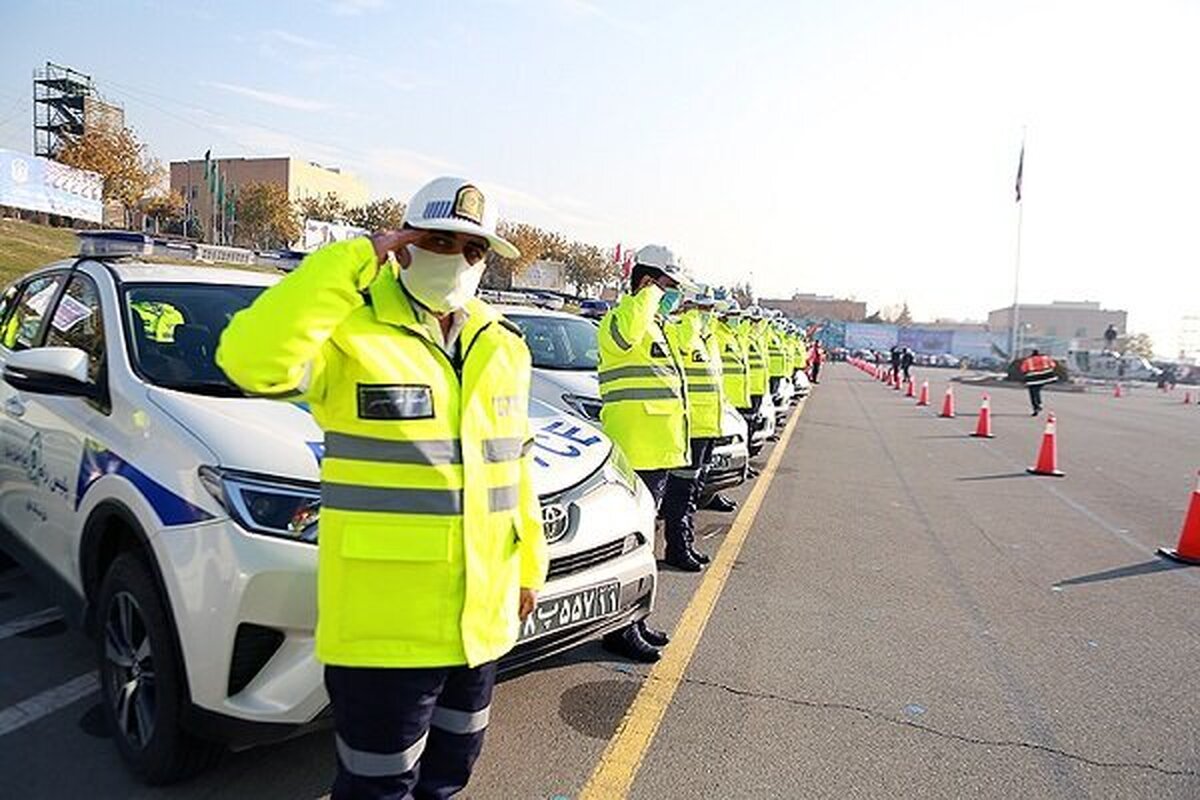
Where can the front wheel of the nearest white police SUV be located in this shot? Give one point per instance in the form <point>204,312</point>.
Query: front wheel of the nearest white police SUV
<point>142,683</point>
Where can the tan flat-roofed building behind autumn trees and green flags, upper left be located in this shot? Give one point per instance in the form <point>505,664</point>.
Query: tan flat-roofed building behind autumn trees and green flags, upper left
<point>302,179</point>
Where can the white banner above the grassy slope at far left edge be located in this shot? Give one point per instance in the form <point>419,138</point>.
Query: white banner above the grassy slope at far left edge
<point>38,184</point>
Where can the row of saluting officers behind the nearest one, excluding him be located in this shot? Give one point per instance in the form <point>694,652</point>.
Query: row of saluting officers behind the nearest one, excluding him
<point>673,354</point>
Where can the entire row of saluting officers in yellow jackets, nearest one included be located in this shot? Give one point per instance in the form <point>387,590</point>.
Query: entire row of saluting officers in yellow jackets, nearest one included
<point>431,548</point>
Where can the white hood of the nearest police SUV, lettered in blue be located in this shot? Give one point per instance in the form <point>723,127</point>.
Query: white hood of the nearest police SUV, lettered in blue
<point>278,438</point>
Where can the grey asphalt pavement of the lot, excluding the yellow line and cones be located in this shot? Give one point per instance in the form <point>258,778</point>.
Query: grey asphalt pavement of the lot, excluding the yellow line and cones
<point>910,616</point>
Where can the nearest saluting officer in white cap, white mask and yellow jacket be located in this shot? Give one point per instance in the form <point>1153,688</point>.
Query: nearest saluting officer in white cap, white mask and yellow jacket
<point>431,542</point>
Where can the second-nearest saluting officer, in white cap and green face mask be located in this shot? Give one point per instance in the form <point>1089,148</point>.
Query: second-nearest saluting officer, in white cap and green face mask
<point>645,410</point>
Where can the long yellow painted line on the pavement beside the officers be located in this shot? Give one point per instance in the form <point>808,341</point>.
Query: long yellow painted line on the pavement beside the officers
<point>614,777</point>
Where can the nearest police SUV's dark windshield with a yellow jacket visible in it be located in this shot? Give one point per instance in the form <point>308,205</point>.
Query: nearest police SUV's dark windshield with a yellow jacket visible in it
<point>175,329</point>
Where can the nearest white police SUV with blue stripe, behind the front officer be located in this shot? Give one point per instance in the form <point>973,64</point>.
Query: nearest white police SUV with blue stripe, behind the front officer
<point>177,520</point>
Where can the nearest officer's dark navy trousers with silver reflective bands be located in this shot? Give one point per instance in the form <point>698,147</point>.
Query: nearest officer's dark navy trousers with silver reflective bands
<point>407,735</point>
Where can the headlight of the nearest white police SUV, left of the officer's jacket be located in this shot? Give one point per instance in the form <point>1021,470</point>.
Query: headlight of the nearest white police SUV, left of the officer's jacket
<point>266,506</point>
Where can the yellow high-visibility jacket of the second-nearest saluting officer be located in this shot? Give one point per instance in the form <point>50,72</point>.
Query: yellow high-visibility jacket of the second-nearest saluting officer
<point>645,410</point>
